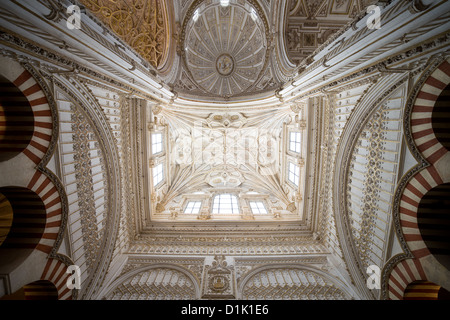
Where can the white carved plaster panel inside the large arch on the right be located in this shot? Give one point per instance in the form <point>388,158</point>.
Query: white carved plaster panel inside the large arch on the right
<point>372,177</point>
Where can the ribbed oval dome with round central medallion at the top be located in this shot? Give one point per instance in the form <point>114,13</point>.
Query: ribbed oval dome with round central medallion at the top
<point>225,47</point>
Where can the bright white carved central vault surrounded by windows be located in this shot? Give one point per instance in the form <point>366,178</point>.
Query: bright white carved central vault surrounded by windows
<point>224,152</point>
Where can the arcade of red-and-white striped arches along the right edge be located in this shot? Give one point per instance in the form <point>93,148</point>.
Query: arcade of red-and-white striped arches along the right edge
<point>410,270</point>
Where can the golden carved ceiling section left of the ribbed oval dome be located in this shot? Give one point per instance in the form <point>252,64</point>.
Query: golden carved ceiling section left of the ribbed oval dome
<point>144,25</point>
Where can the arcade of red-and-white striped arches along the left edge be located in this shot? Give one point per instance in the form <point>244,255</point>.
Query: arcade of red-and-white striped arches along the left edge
<point>54,269</point>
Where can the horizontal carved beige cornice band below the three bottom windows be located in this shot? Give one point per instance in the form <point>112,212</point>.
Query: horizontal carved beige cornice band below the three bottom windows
<point>227,243</point>
